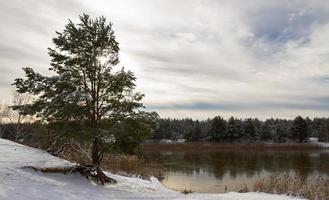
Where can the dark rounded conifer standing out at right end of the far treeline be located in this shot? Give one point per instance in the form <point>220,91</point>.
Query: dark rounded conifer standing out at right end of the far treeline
<point>299,129</point>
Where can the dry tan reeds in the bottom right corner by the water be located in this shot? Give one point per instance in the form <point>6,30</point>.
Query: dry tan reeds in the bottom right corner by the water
<point>314,187</point>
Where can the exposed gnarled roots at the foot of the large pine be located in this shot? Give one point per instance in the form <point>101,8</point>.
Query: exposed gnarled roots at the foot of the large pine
<point>91,172</point>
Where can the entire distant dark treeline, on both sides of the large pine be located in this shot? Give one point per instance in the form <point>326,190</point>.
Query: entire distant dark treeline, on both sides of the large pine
<point>218,129</point>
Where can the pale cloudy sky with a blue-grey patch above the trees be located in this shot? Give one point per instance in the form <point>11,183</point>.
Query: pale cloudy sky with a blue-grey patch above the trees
<point>198,59</point>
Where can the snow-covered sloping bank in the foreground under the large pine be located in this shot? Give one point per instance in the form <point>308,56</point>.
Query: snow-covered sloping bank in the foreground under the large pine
<point>22,184</point>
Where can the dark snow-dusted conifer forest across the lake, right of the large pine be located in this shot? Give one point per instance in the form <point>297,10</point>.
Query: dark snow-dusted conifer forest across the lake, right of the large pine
<point>243,130</point>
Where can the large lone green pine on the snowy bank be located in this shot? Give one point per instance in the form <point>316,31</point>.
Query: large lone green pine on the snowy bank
<point>87,96</point>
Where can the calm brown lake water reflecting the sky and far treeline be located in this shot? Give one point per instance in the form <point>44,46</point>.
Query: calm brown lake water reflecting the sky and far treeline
<point>210,171</point>
